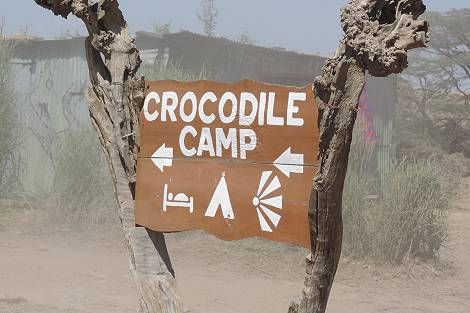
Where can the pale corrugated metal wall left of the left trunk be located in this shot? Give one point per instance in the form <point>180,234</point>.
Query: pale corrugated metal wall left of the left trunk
<point>50,78</point>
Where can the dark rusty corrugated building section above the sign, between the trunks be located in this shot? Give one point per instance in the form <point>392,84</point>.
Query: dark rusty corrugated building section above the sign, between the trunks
<point>229,61</point>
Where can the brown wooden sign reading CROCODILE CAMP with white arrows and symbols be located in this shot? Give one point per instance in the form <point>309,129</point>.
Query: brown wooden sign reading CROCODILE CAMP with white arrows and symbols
<point>236,160</point>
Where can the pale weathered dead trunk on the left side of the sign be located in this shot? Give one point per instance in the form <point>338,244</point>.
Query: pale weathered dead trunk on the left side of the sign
<point>115,100</point>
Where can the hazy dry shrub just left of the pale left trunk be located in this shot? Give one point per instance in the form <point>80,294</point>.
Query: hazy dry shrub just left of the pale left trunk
<point>82,191</point>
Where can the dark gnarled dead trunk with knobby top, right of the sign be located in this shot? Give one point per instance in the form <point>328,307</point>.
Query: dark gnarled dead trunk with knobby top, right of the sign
<point>378,34</point>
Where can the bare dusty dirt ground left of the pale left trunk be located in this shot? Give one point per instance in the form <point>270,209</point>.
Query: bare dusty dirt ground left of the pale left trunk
<point>64,273</point>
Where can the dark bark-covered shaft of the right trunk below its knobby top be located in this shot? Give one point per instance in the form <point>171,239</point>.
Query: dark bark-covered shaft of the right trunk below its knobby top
<point>326,224</point>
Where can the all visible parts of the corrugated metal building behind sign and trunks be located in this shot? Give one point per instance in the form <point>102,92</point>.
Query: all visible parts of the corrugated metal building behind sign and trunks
<point>51,76</point>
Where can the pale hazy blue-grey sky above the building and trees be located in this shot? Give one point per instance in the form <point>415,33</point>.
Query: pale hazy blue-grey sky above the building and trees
<point>310,26</point>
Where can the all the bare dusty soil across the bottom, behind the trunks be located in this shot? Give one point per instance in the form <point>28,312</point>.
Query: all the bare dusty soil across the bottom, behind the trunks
<point>67,272</point>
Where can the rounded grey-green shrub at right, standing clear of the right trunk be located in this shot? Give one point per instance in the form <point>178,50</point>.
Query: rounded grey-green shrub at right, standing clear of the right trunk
<point>411,216</point>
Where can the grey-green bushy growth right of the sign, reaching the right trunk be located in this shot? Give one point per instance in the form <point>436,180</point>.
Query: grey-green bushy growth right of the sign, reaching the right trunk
<point>407,219</point>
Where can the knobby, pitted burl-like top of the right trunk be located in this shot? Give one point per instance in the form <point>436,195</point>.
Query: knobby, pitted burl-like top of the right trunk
<point>379,33</point>
